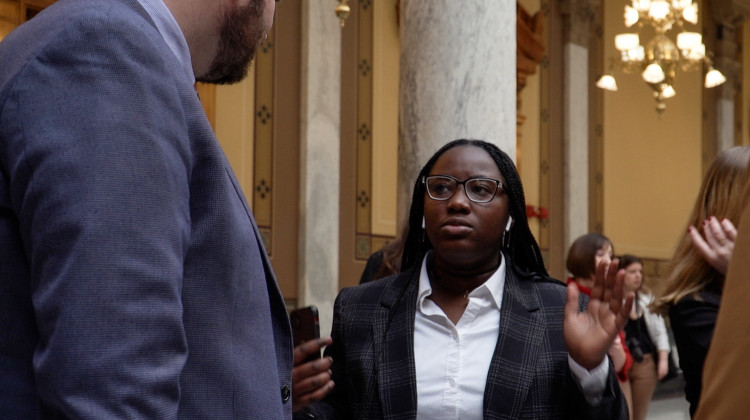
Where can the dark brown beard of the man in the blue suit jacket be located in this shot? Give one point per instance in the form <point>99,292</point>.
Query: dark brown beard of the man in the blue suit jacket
<point>241,33</point>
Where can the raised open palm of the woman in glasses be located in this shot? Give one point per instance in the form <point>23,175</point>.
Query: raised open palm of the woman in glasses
<point>589,334</point>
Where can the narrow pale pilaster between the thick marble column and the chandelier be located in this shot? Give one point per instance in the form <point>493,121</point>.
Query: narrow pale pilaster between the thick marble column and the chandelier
<point>578,16</point>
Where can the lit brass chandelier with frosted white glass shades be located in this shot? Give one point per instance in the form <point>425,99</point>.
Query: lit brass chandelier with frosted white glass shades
<point>659,59</point>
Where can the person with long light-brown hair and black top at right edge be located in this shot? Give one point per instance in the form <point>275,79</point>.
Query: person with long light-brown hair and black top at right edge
<point>692,291</point>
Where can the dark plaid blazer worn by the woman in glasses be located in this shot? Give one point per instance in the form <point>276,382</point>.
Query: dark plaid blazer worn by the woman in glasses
<point>529,376</point>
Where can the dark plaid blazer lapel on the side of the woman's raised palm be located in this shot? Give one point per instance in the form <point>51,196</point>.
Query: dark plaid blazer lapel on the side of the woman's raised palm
<point>520,338</point>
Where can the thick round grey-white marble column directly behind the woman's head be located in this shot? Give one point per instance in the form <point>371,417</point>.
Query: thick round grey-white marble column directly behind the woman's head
<point>458,80</point>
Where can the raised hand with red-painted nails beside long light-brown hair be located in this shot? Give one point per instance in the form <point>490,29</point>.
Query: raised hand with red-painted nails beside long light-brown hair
<point>718,245</point>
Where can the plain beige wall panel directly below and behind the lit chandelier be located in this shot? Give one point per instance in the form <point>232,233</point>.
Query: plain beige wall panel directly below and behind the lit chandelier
<point>652,166</point>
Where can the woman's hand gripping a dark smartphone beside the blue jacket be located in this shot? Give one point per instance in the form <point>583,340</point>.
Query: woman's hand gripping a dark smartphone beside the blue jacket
<point>311,381</point>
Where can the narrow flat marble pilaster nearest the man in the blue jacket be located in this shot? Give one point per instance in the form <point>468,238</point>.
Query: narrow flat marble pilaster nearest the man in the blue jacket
<point>319,146</point>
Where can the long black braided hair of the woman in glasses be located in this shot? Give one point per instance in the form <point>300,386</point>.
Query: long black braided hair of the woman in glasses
<point>519,243</point>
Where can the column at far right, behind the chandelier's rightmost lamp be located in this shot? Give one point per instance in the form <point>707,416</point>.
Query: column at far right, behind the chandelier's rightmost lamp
<point>729,15</point>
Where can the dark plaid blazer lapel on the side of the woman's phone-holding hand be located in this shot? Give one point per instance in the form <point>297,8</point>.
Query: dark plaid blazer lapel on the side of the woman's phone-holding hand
<point>393,338</point>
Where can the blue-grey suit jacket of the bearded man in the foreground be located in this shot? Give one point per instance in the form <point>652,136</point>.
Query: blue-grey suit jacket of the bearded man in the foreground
<point>133,283</point>
